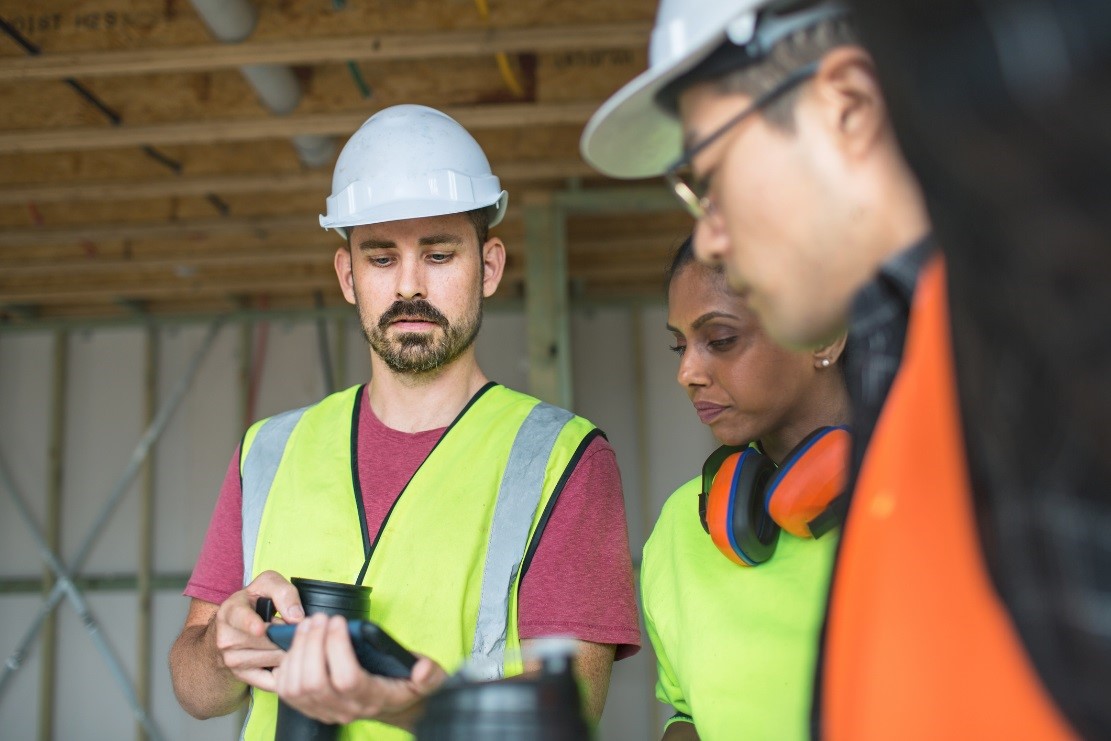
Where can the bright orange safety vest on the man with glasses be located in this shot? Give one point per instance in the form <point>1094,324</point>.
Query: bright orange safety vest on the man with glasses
<point>919,646</point>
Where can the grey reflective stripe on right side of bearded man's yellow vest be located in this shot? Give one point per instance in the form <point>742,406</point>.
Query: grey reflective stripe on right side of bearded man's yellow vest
<point>518,498</point>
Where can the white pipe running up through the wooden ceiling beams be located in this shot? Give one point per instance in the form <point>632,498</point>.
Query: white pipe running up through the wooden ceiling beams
<point>277,87</point>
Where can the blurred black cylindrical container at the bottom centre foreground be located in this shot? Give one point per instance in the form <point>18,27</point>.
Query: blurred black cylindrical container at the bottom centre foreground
<point>545,707</point>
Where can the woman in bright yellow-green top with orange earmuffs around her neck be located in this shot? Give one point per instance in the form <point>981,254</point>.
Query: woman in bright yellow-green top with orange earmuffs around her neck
<point>736,573</point>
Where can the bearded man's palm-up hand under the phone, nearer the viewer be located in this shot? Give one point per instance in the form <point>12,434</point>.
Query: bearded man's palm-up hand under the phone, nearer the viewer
<point>323,678</point>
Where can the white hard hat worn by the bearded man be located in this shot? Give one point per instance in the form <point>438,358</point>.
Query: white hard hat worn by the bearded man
<point>408,163</point>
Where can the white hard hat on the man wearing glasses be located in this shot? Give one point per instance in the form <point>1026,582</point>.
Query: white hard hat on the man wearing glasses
<point>632,136</point>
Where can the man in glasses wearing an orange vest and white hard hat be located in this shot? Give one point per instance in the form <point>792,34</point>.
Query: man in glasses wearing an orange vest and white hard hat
<point>767,121</point>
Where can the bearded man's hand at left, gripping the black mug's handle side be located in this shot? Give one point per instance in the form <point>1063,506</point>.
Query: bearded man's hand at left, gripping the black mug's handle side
<point>239,635</point>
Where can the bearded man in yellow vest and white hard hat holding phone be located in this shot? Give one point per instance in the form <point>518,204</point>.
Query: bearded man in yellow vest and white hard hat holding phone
<point>431,484</point>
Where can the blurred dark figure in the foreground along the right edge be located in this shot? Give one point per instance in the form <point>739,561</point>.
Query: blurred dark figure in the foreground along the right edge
<point>1005,113</point>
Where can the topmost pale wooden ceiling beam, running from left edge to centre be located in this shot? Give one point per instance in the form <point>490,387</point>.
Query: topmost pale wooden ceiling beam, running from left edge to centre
<point>315,52</point>
